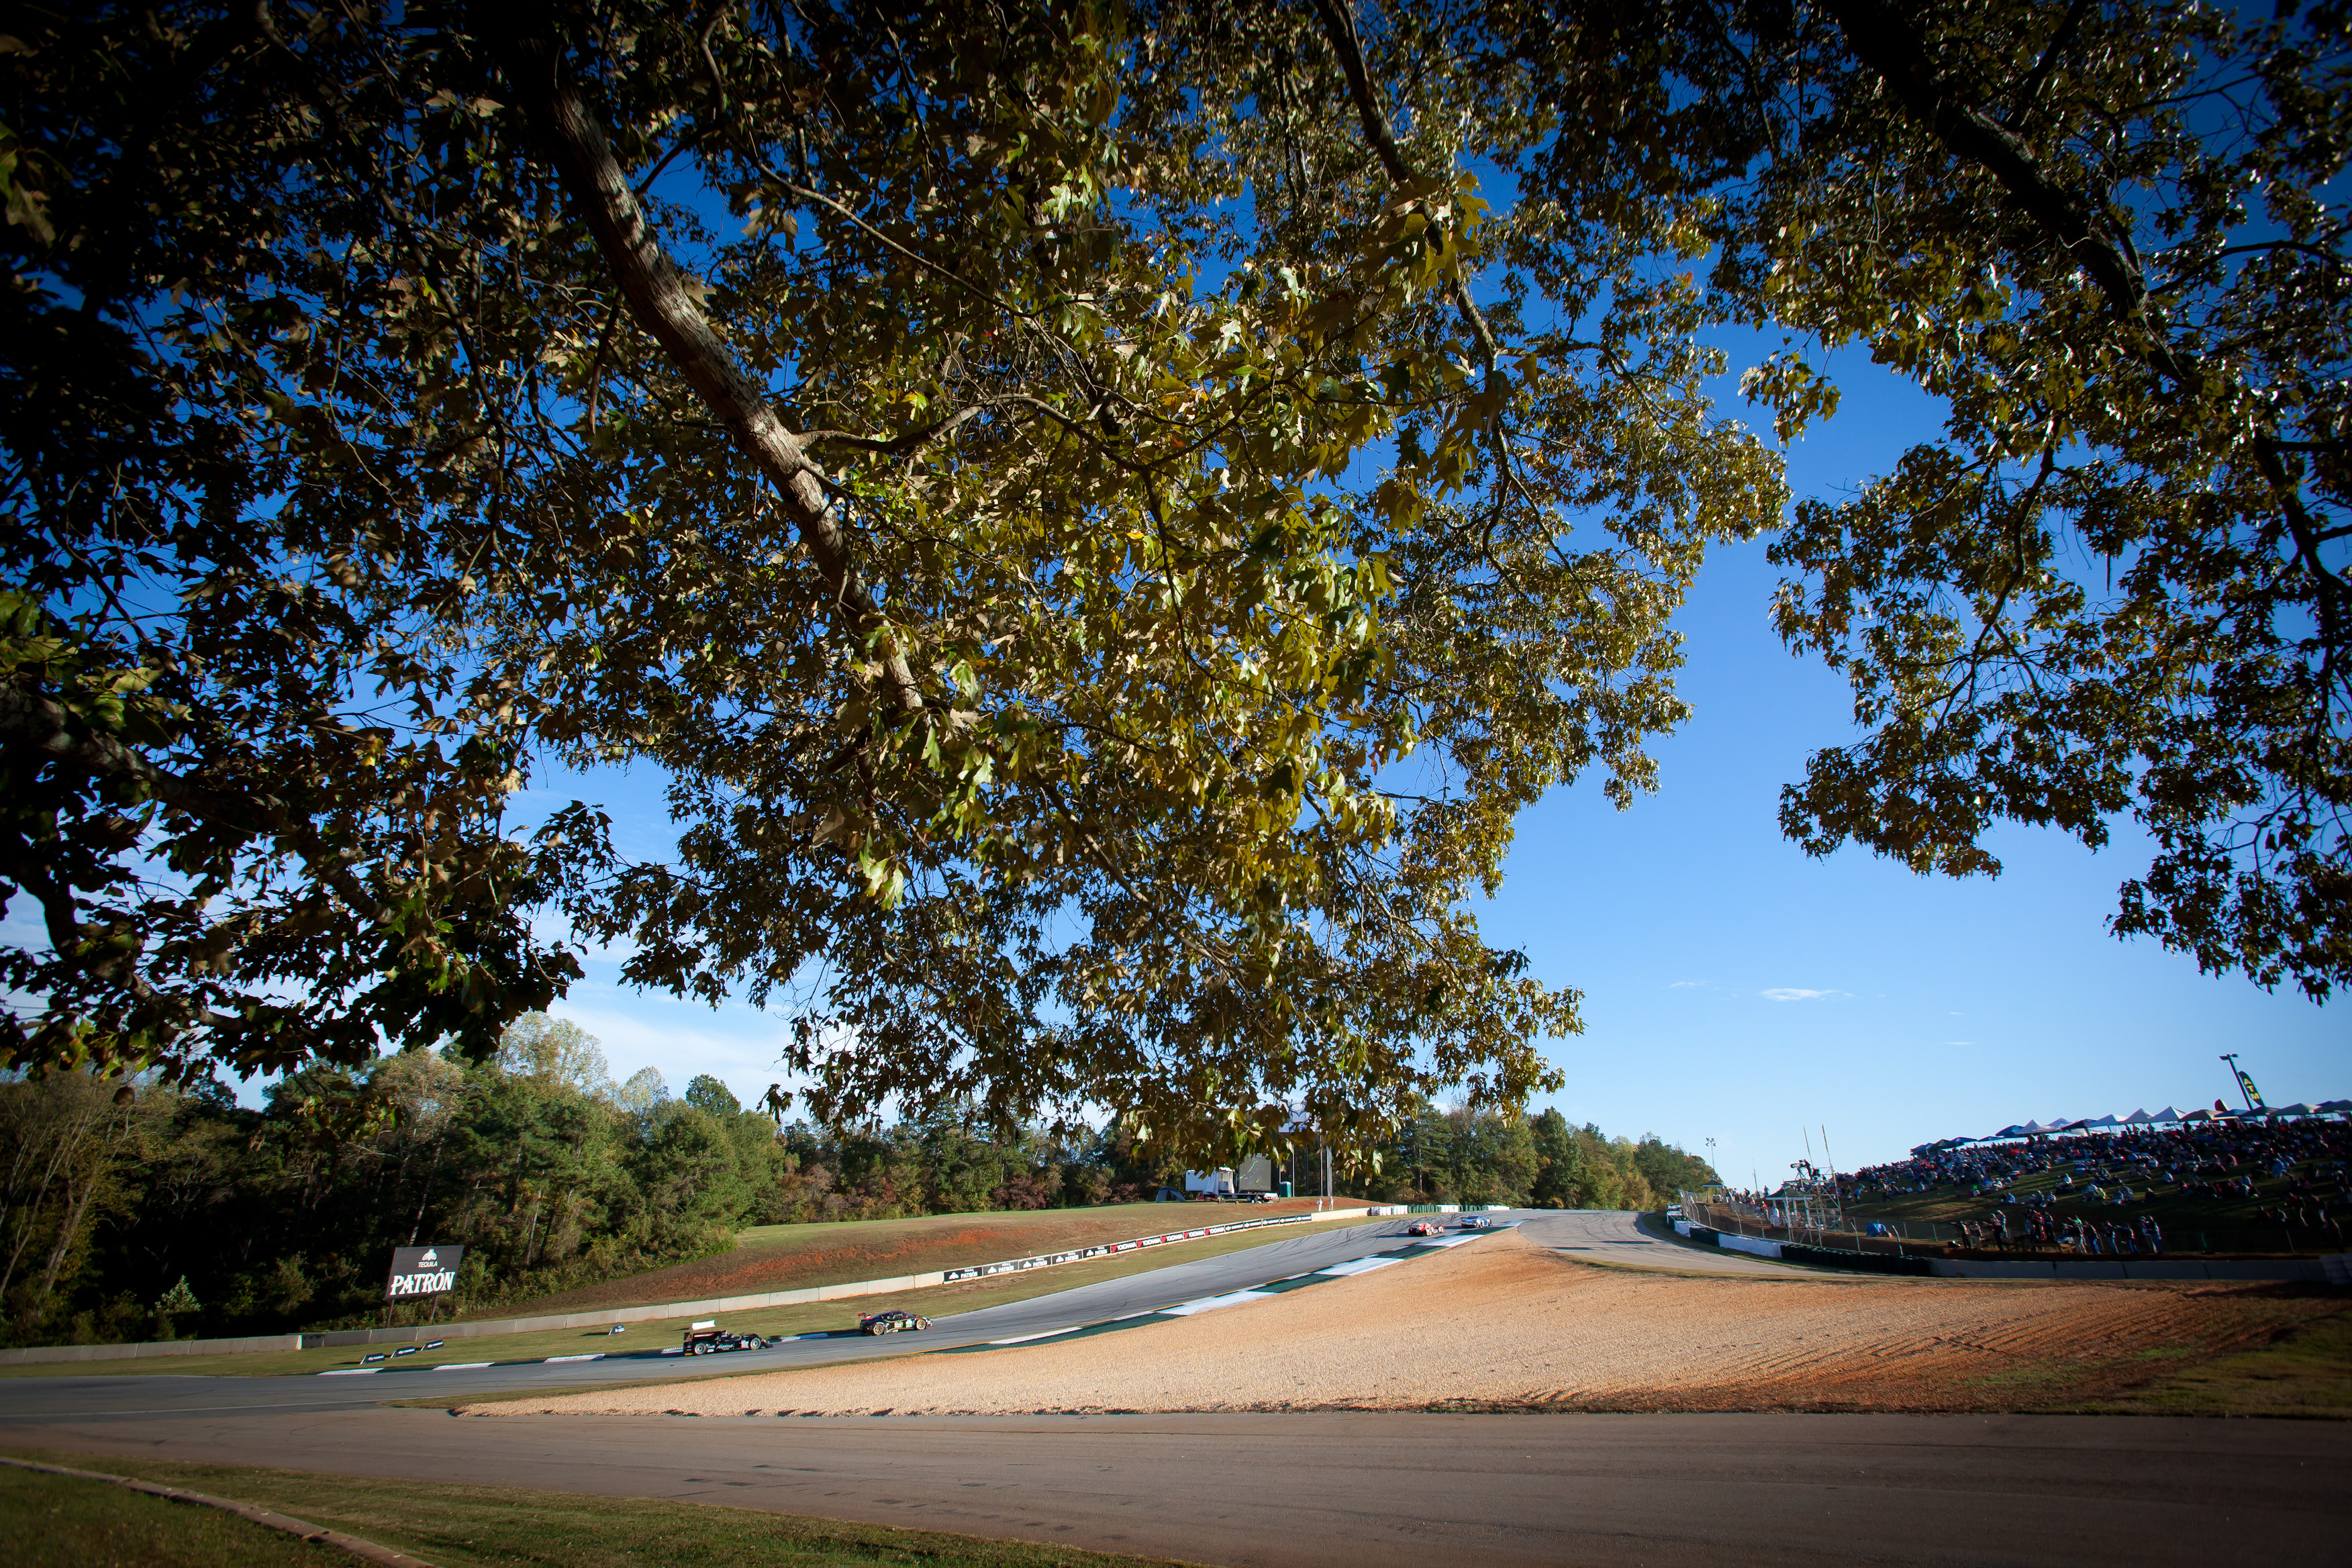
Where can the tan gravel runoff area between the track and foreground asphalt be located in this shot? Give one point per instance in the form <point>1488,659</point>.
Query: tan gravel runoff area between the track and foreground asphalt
<point>1511,1325</point>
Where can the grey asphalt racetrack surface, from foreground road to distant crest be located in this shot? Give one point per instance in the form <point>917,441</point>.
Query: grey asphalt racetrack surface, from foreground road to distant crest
<point>1307,1489</point>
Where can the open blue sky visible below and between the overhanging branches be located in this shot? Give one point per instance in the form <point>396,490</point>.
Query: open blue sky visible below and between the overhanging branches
<point>1737,989</point>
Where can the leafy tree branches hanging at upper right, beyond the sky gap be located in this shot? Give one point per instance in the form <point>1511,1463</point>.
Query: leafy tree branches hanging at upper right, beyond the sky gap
<point>2118,584</point>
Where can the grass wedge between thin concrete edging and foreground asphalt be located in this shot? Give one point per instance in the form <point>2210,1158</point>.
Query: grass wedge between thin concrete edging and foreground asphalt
<point>493,1527</point>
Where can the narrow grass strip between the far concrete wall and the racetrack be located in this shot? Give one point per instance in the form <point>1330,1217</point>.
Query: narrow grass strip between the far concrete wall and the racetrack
<point>937,1301</point>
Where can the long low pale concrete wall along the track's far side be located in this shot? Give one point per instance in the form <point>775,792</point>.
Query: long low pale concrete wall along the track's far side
<point>639,1315</point>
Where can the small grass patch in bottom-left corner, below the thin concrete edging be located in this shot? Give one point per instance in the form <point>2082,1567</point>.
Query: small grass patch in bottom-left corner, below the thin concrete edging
<point>60,1522</point>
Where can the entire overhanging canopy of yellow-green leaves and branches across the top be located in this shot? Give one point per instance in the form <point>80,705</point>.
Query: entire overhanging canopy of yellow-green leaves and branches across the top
<point>1104,516</point>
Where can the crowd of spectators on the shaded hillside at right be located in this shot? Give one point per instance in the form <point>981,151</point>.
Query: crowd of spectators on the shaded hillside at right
<point>2219,1160</point>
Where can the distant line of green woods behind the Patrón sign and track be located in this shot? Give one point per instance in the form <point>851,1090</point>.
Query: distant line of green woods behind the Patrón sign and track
<point>140,1212</point>
